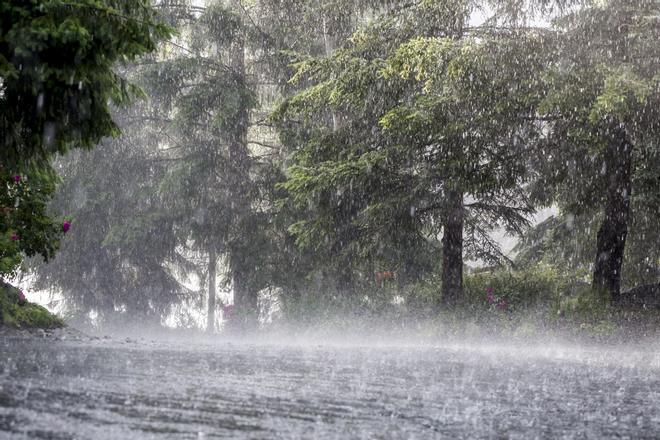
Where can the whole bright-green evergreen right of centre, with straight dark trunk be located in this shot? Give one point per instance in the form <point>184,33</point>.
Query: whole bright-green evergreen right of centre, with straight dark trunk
<point>434,116</point>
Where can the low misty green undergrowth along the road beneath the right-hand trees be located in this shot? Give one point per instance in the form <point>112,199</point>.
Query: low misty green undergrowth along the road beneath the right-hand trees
<point>539,301</point>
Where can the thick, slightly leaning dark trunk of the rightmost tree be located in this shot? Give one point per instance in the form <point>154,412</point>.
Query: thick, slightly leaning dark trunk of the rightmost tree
<point>611,239</point>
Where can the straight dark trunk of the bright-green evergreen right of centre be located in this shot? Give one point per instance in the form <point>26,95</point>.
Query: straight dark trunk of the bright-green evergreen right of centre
<point>452,250</point>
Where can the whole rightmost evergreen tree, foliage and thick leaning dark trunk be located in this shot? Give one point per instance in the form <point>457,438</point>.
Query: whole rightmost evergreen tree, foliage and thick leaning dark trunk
<point>601,152</point>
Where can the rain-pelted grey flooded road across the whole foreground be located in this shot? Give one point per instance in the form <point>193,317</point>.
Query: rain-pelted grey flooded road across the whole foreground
<point>108,390</point>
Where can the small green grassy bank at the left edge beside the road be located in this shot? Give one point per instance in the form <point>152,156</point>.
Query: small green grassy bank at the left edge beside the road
<point>21,314</point>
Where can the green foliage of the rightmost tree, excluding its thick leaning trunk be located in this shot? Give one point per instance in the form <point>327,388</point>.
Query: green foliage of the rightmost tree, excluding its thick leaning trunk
<point>604,76</point>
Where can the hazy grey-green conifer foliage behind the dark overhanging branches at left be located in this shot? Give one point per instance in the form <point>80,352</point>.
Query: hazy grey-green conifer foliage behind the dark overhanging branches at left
<point>178,187</point>
